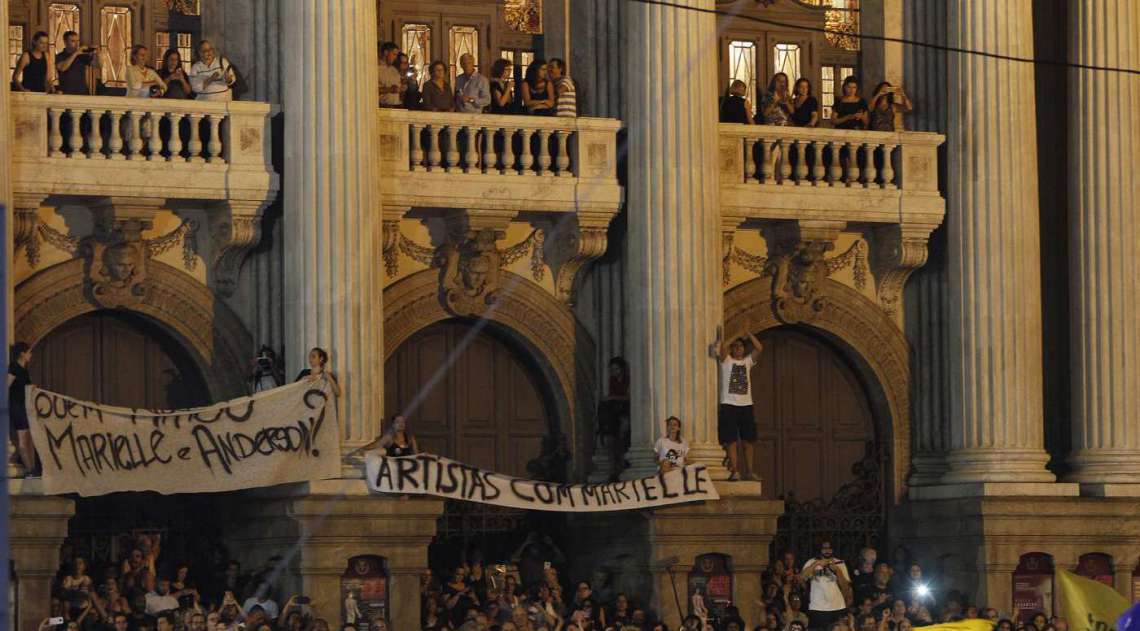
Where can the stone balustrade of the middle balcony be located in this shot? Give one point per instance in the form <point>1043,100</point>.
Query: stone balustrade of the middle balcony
<point>523,163</point>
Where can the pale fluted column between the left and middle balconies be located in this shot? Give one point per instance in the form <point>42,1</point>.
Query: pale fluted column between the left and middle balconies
<point>333,285</point>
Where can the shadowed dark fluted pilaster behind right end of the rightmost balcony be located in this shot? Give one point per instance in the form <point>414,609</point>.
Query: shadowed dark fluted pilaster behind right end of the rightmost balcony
<point>927,292</point>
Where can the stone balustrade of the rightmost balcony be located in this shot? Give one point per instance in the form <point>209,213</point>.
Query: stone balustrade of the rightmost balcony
<point>815,174</point>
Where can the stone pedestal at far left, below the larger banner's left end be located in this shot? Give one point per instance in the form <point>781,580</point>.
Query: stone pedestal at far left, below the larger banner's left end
<point>37,529</point>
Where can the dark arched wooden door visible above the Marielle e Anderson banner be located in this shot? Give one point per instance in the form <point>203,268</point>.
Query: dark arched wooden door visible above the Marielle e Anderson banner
<point>118,359</point>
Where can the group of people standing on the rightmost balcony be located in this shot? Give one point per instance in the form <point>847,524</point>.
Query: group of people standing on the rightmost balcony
<point>800,108</point>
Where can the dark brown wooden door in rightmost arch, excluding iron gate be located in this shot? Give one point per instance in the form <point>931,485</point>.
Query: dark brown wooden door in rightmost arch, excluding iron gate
<point>812,415</point>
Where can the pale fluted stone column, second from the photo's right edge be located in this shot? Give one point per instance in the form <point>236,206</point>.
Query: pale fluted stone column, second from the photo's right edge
<point>997,428</point>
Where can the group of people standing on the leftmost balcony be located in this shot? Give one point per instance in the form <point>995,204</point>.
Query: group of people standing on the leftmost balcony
<point>210,78</point>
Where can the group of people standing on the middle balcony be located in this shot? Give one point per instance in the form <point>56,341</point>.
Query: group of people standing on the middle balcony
<point>547,89</point>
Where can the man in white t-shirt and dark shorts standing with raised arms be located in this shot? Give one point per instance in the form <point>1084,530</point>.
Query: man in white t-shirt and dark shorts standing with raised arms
<point>737,425</point>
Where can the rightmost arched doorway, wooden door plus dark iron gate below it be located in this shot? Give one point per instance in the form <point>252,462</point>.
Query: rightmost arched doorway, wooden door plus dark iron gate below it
<point>818,447</point>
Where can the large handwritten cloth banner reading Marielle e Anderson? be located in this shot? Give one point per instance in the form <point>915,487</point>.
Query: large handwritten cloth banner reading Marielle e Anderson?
<point>288,435</point>
